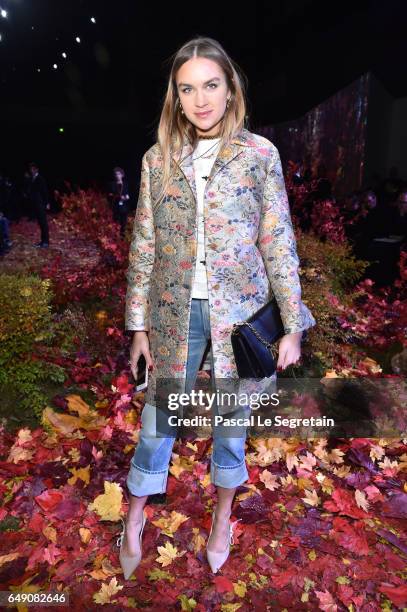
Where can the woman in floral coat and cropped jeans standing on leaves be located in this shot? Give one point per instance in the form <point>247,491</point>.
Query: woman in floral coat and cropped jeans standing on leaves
<point>212,242</point>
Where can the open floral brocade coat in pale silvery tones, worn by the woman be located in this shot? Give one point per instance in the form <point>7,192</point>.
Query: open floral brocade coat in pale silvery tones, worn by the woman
<point>250,252</point>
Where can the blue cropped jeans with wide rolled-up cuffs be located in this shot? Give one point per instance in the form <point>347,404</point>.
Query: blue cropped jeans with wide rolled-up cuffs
<point>148,472</point>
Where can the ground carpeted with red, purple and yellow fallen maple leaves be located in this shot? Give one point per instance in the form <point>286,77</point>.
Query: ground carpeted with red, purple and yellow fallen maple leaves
<point>323,520</point>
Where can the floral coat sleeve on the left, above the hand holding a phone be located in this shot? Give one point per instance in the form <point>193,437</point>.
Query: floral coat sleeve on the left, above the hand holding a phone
<point>141,257</point>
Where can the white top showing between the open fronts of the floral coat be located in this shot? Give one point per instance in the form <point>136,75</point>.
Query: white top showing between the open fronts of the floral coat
<point>202,168</point>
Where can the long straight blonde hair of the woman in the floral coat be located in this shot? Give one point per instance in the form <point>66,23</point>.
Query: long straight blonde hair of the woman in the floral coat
<point>174,128</point>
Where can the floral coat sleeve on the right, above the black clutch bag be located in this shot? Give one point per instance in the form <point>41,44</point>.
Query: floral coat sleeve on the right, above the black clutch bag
<point>277,245</point>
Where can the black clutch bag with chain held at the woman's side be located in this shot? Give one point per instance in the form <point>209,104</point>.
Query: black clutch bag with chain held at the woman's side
<point>253,342</point>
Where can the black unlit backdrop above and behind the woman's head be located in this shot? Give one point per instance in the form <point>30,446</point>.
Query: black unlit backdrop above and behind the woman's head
<point>107,94</point>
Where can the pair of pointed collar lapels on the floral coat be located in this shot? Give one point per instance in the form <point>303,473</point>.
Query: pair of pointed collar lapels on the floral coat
<point>224,157</point>
